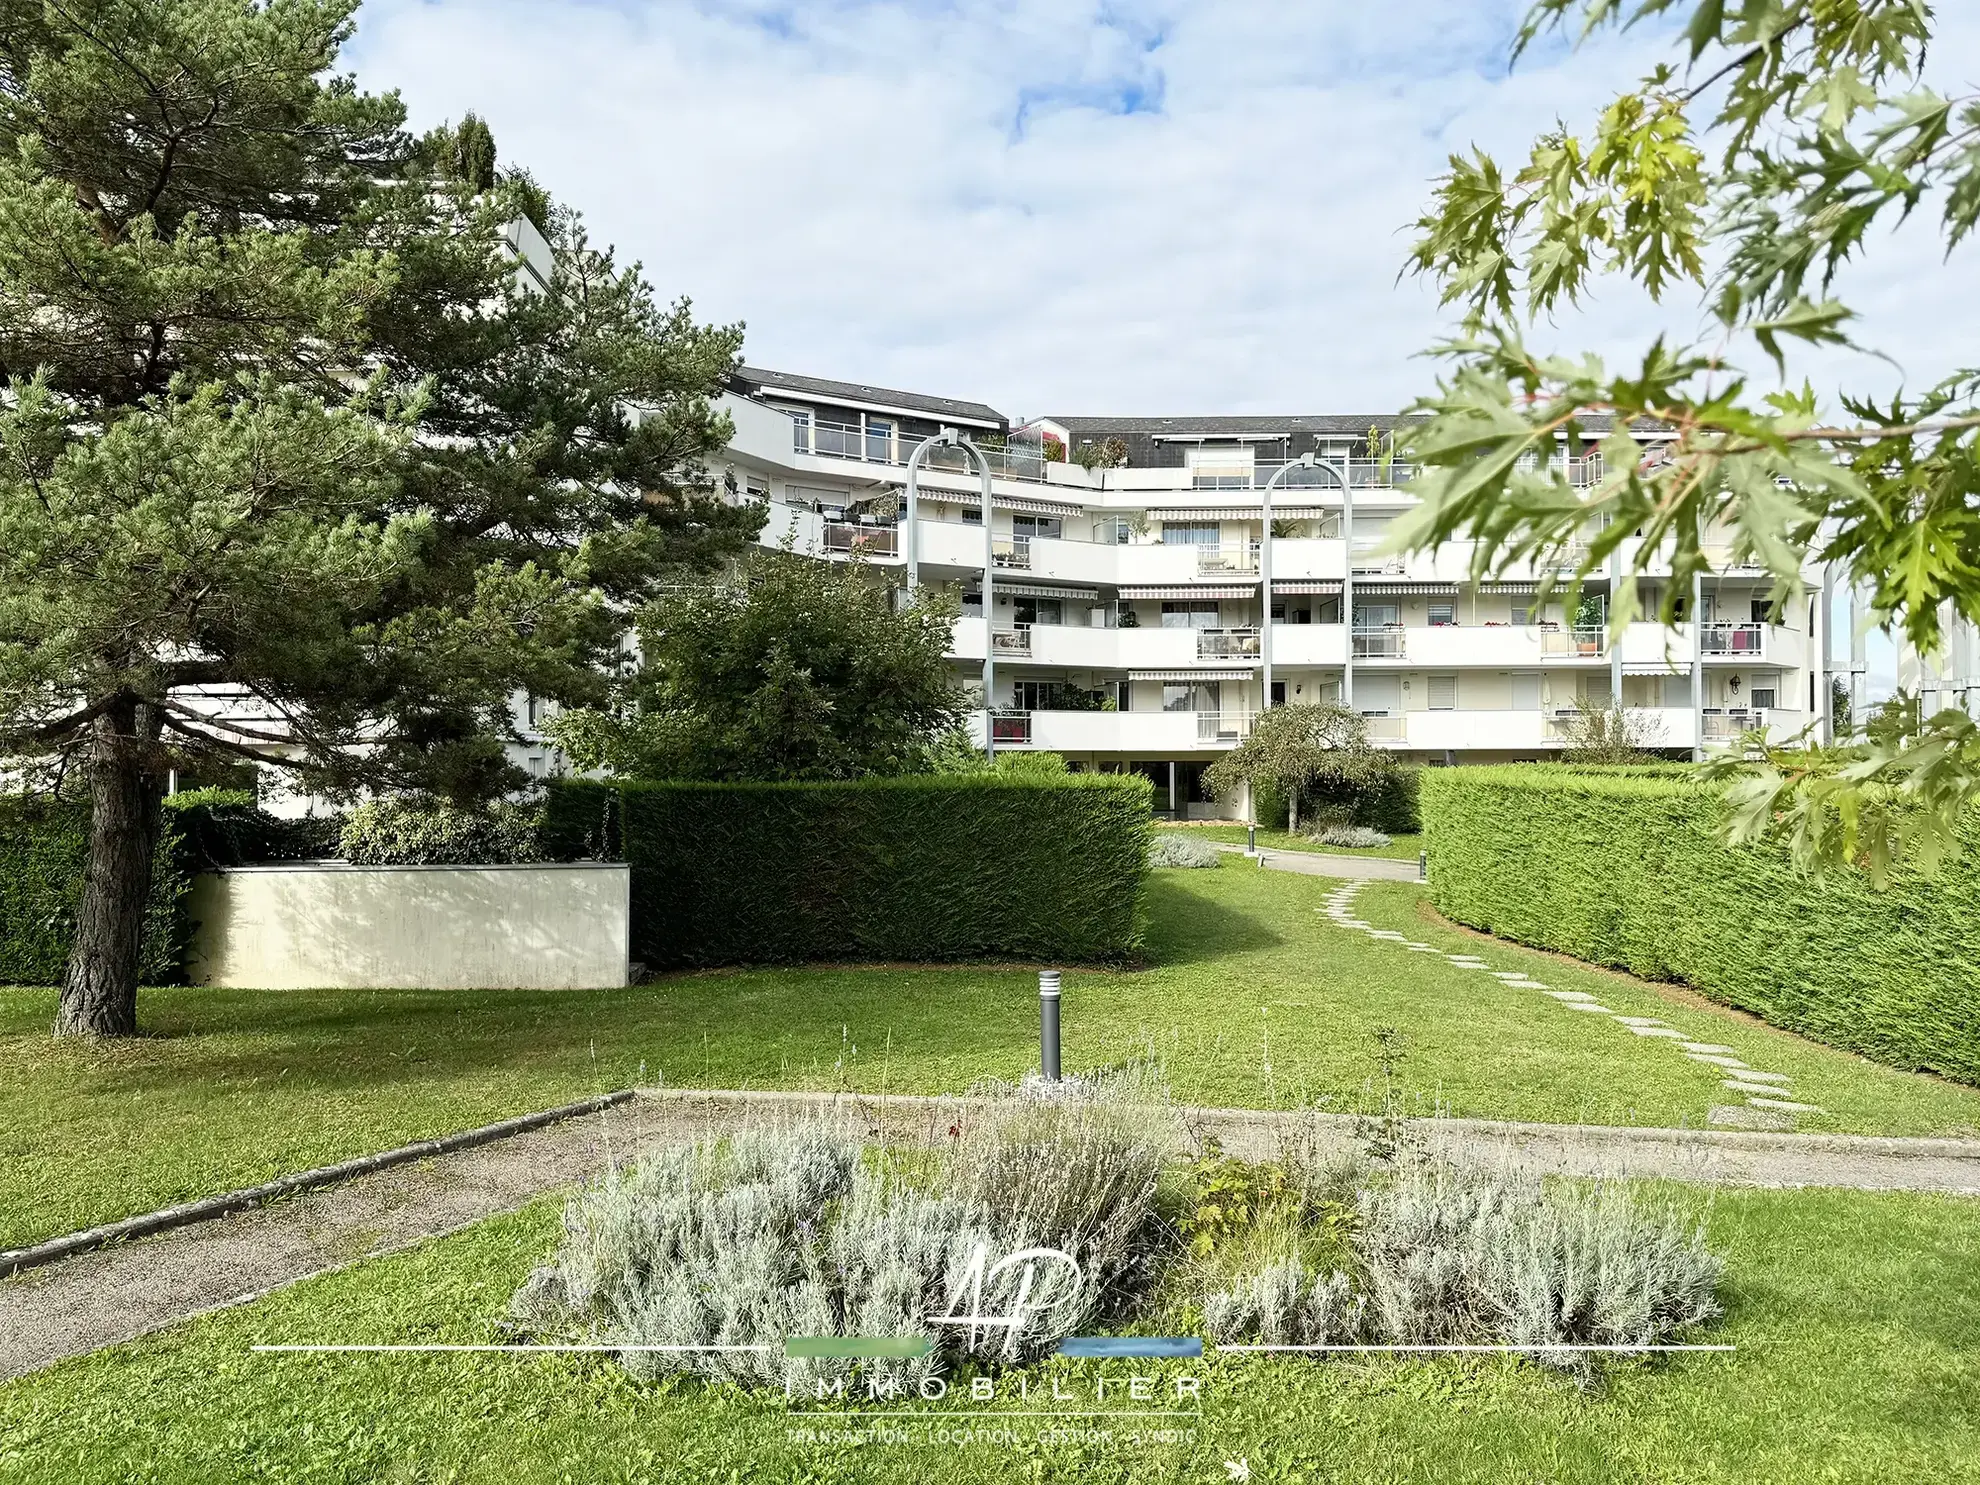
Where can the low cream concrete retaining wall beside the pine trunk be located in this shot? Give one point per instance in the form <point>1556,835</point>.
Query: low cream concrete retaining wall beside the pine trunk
<point>344,928</point>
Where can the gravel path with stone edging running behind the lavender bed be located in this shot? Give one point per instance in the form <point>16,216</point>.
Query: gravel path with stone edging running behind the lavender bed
<point>118,1294</point>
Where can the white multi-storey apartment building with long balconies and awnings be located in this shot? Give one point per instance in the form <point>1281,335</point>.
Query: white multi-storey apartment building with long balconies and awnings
<point>1141,617</point>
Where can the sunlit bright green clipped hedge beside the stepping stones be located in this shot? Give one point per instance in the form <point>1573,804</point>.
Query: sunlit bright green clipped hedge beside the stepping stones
<point>1627,868</point>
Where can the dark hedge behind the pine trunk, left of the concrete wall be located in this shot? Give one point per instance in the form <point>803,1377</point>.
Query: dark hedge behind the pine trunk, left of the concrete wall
<point>45,848</point>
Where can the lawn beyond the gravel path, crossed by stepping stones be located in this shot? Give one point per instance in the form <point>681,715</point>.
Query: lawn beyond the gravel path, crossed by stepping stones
<point>1252,999</point>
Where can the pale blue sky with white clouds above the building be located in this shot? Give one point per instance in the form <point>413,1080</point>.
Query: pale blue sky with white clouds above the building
<point>1054,205</point>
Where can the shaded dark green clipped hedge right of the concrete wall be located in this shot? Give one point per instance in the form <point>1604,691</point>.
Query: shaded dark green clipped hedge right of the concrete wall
<point>892,868</point>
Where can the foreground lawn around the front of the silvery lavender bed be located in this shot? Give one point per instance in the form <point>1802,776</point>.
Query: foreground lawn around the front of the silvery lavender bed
<point>1856,1320</point>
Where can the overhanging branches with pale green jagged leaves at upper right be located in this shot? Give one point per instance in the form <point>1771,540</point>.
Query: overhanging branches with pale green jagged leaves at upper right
<point>1777,144</point>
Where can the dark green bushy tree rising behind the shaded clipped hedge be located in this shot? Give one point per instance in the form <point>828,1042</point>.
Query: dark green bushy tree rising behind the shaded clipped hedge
<point>789,670</point>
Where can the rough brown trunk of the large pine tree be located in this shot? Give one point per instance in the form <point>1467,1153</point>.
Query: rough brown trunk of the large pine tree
<point>100,989</point>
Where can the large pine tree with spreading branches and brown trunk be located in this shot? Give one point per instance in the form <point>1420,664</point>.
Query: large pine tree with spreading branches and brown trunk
<point>292,468</point>
